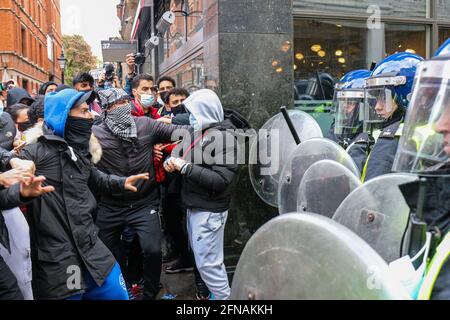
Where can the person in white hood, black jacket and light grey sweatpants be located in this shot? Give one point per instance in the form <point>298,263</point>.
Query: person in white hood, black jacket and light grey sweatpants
<point>206,188</point>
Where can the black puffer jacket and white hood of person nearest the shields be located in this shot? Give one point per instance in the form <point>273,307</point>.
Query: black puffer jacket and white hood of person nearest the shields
<point>207,181</point>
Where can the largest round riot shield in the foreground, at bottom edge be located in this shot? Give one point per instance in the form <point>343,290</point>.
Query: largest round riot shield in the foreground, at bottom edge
<point>310,257</point>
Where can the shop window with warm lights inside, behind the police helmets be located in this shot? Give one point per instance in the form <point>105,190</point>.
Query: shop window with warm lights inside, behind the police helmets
<point>328,49</point>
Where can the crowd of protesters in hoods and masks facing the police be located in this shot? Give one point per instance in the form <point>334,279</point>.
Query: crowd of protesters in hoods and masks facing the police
<point>92,175</point>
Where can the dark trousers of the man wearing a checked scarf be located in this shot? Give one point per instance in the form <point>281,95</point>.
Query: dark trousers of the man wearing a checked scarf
<point>146,223</point>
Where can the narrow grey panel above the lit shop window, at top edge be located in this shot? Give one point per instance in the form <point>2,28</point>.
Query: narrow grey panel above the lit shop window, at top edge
<point>396,8</point>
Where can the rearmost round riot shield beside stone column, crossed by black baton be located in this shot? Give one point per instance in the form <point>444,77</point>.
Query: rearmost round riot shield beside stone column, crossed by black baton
<point>271,149</point>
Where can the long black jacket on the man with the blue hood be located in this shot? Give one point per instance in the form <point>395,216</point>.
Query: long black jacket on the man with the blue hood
<point>63,234</point>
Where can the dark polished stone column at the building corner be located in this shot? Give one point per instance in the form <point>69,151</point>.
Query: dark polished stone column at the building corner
<point>248,53</point>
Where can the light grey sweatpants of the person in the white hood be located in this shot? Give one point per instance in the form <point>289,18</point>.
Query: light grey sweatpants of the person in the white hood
<point>206,233</point>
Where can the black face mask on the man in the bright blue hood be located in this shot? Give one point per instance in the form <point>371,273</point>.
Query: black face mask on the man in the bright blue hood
<point>78,133</point>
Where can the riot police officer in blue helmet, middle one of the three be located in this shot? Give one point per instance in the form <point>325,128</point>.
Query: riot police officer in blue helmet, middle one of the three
<point>388,92</point>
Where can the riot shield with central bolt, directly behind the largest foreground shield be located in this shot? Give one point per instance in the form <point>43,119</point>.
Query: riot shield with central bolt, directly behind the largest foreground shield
<point>378,213</point>
